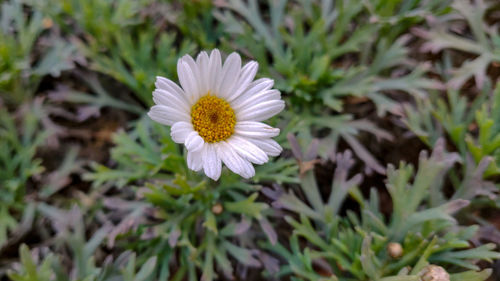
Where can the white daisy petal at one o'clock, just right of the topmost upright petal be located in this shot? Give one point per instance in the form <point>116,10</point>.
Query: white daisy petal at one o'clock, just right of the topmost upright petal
<point>230,73</point>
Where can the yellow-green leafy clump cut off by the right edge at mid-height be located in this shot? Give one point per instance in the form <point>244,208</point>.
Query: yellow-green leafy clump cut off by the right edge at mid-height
<point>472,126</point>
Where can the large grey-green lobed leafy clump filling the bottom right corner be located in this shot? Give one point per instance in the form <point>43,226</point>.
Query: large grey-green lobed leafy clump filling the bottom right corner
<point>358,245</point>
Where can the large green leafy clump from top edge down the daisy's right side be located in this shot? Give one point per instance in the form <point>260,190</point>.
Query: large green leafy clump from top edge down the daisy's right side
<point>353,56</point>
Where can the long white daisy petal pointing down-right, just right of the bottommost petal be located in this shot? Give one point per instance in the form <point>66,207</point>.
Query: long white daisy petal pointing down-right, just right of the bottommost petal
<point>234,161</point>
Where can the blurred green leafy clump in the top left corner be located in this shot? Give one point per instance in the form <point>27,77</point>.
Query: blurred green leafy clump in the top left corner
<point>20,72</point>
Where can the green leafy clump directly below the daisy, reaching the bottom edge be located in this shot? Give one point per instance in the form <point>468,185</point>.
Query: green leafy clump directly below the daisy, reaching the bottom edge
<point>180,215</point>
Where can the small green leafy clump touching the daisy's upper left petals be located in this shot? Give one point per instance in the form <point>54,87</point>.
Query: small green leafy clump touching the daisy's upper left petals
<point>129,59</point>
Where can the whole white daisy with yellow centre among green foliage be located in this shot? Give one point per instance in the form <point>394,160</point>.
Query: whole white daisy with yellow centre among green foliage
<point>217,113</point>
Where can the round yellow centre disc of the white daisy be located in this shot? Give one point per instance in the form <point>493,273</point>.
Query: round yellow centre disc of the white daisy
<point>213,118</point>
